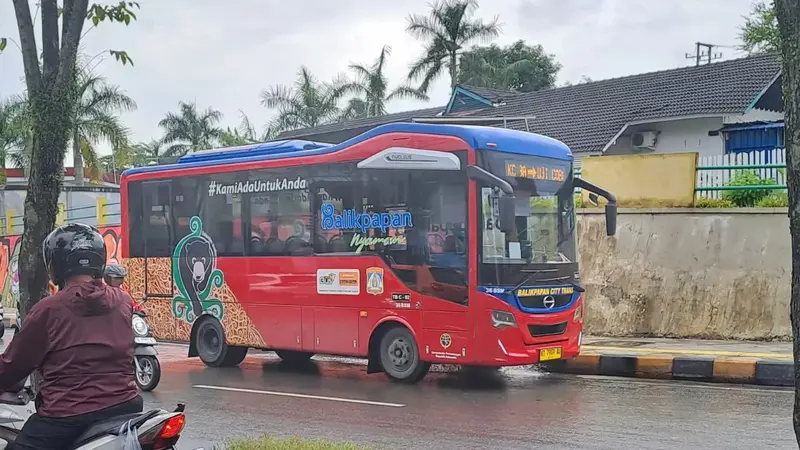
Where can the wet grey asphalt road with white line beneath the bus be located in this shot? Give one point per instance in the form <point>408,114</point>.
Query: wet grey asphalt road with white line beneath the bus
<point>518,409</point>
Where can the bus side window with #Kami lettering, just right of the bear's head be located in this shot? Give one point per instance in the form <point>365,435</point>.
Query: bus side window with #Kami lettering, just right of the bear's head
<point>222,215</point>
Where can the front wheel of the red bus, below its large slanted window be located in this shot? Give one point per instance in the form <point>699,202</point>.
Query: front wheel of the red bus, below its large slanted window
<point>400,356</point>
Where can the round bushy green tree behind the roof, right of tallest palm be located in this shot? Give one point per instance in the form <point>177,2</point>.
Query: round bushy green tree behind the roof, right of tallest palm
<point>517,67</point>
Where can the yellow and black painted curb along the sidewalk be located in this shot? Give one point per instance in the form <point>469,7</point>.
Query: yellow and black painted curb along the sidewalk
<point>708,369</point>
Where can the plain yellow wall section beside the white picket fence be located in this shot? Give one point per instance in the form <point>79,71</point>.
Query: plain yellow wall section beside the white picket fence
<point>653,180</point>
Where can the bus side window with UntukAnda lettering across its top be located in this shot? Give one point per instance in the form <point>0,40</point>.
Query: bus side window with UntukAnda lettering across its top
<point>280,218</point>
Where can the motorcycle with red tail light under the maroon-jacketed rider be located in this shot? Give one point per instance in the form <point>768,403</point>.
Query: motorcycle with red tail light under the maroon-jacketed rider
<point>156,429</point>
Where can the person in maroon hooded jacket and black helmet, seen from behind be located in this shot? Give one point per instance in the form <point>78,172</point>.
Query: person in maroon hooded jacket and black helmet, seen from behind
<point>79,339</point>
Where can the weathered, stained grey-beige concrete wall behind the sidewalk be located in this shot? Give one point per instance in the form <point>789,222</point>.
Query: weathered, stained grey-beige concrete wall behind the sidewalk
<point>688,273</point>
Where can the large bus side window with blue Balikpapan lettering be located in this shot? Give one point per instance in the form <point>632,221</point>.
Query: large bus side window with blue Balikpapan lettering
<point>414,220</point>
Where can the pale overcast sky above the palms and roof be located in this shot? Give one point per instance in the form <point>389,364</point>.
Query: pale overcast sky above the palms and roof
<point>223,53</point>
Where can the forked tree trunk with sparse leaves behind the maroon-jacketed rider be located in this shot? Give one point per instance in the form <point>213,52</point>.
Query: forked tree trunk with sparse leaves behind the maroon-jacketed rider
<point>51,90</point>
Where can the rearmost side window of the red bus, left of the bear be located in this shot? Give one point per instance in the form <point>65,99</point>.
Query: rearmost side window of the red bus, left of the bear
<point>157,219</point>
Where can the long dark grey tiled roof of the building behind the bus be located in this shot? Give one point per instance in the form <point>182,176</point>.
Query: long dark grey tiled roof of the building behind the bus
<point>587,116</point>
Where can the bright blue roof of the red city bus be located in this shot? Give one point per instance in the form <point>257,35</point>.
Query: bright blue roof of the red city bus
<point>478,137</point>
